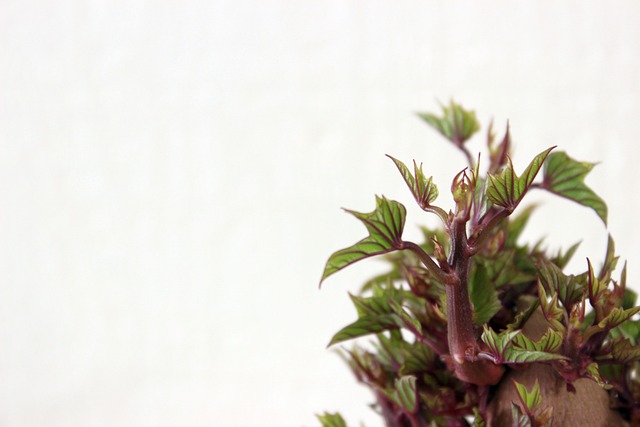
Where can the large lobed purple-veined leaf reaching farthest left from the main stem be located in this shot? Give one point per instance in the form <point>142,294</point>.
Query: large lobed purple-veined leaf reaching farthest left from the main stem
<point>385,225</point>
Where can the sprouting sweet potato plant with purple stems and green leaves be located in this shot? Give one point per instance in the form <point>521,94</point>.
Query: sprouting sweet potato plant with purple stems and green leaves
<point>472,326</point>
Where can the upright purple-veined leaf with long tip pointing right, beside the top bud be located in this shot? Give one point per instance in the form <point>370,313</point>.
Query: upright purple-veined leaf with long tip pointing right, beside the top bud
<point>506,189</point>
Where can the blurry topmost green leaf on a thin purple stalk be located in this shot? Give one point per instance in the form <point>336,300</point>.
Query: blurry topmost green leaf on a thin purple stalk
<point>456,124</point>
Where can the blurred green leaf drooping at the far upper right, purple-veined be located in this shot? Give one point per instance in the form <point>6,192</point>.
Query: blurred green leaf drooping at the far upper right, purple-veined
<point>565,177</point>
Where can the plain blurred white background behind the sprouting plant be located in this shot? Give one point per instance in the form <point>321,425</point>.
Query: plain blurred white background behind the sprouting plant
<point>171,175</point>
